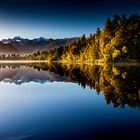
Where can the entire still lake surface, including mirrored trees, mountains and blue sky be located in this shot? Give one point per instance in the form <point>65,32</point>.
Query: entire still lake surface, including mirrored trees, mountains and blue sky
<point>51,102</point>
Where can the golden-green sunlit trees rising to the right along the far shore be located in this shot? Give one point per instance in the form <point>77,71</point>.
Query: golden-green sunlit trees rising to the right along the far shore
<point>118,41</point>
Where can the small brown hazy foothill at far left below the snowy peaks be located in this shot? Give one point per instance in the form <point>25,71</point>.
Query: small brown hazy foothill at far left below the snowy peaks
<point>7,49</point>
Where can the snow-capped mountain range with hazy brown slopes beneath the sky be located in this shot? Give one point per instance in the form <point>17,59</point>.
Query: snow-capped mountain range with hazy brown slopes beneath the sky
<point>18,45</point>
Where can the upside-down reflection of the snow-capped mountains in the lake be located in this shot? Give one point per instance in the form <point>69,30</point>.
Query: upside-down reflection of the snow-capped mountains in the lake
<point>23,73</point>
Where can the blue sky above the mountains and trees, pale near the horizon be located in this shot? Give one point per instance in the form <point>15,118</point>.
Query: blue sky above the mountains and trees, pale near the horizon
<point>58,19</point>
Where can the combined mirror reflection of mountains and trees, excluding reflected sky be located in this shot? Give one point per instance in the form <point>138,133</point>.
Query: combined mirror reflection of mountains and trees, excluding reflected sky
<point>119,84</point>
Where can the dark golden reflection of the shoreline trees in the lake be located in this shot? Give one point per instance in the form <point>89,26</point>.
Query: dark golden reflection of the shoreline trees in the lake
<point>119,84</point>
